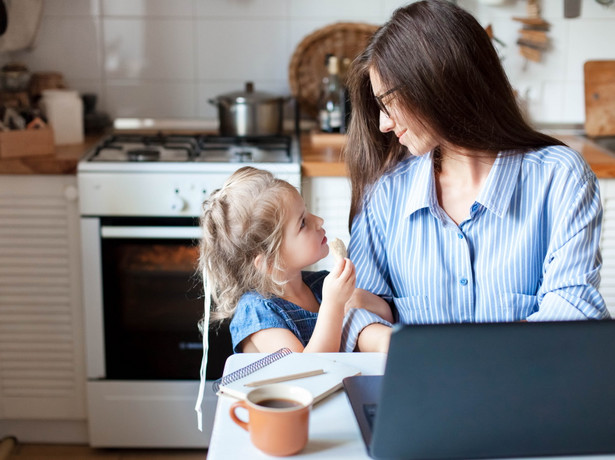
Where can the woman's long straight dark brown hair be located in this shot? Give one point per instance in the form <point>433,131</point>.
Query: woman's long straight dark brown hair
<point>449,77</point>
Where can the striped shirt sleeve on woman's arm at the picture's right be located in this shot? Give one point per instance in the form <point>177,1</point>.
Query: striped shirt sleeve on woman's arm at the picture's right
<point>571,274</point>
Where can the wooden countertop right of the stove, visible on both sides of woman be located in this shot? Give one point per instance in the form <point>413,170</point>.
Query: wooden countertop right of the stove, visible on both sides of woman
<point>324,159</point>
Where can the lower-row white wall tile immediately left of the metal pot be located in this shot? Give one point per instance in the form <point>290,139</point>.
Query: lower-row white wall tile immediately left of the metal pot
<point>150,99</point>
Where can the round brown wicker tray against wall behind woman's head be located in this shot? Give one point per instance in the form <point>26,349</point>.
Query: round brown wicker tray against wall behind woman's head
<point>307,65</point>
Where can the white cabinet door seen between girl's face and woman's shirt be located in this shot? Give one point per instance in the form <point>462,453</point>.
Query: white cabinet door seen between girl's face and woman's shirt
<point>329,198</point>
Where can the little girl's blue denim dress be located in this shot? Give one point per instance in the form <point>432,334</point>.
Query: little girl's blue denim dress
<point>255,313</point>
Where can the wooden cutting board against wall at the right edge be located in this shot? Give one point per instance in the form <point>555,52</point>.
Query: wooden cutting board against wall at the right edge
<point>600,98</point>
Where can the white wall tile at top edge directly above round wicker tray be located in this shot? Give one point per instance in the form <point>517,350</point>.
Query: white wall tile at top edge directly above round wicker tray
<point>338,10</point>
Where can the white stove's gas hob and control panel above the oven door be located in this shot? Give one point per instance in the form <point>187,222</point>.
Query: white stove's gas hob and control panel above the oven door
<point>170,175</point>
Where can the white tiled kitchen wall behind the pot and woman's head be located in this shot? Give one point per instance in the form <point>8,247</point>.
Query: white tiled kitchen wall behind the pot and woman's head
<point>167,58</point>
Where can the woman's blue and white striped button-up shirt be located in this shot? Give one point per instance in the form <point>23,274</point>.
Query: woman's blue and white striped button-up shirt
<point>528,250</point>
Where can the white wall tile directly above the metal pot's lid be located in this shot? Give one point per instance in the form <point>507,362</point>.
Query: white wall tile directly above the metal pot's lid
<point>259,52</point>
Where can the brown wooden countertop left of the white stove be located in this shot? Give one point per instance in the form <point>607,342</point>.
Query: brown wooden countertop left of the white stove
<point>63,161</point>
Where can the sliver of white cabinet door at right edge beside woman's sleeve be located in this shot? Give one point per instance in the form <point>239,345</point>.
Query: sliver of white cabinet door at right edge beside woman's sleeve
<point>607,244</point>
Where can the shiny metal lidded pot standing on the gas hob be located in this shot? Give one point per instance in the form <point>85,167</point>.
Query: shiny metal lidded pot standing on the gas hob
<point>249,113</point>
